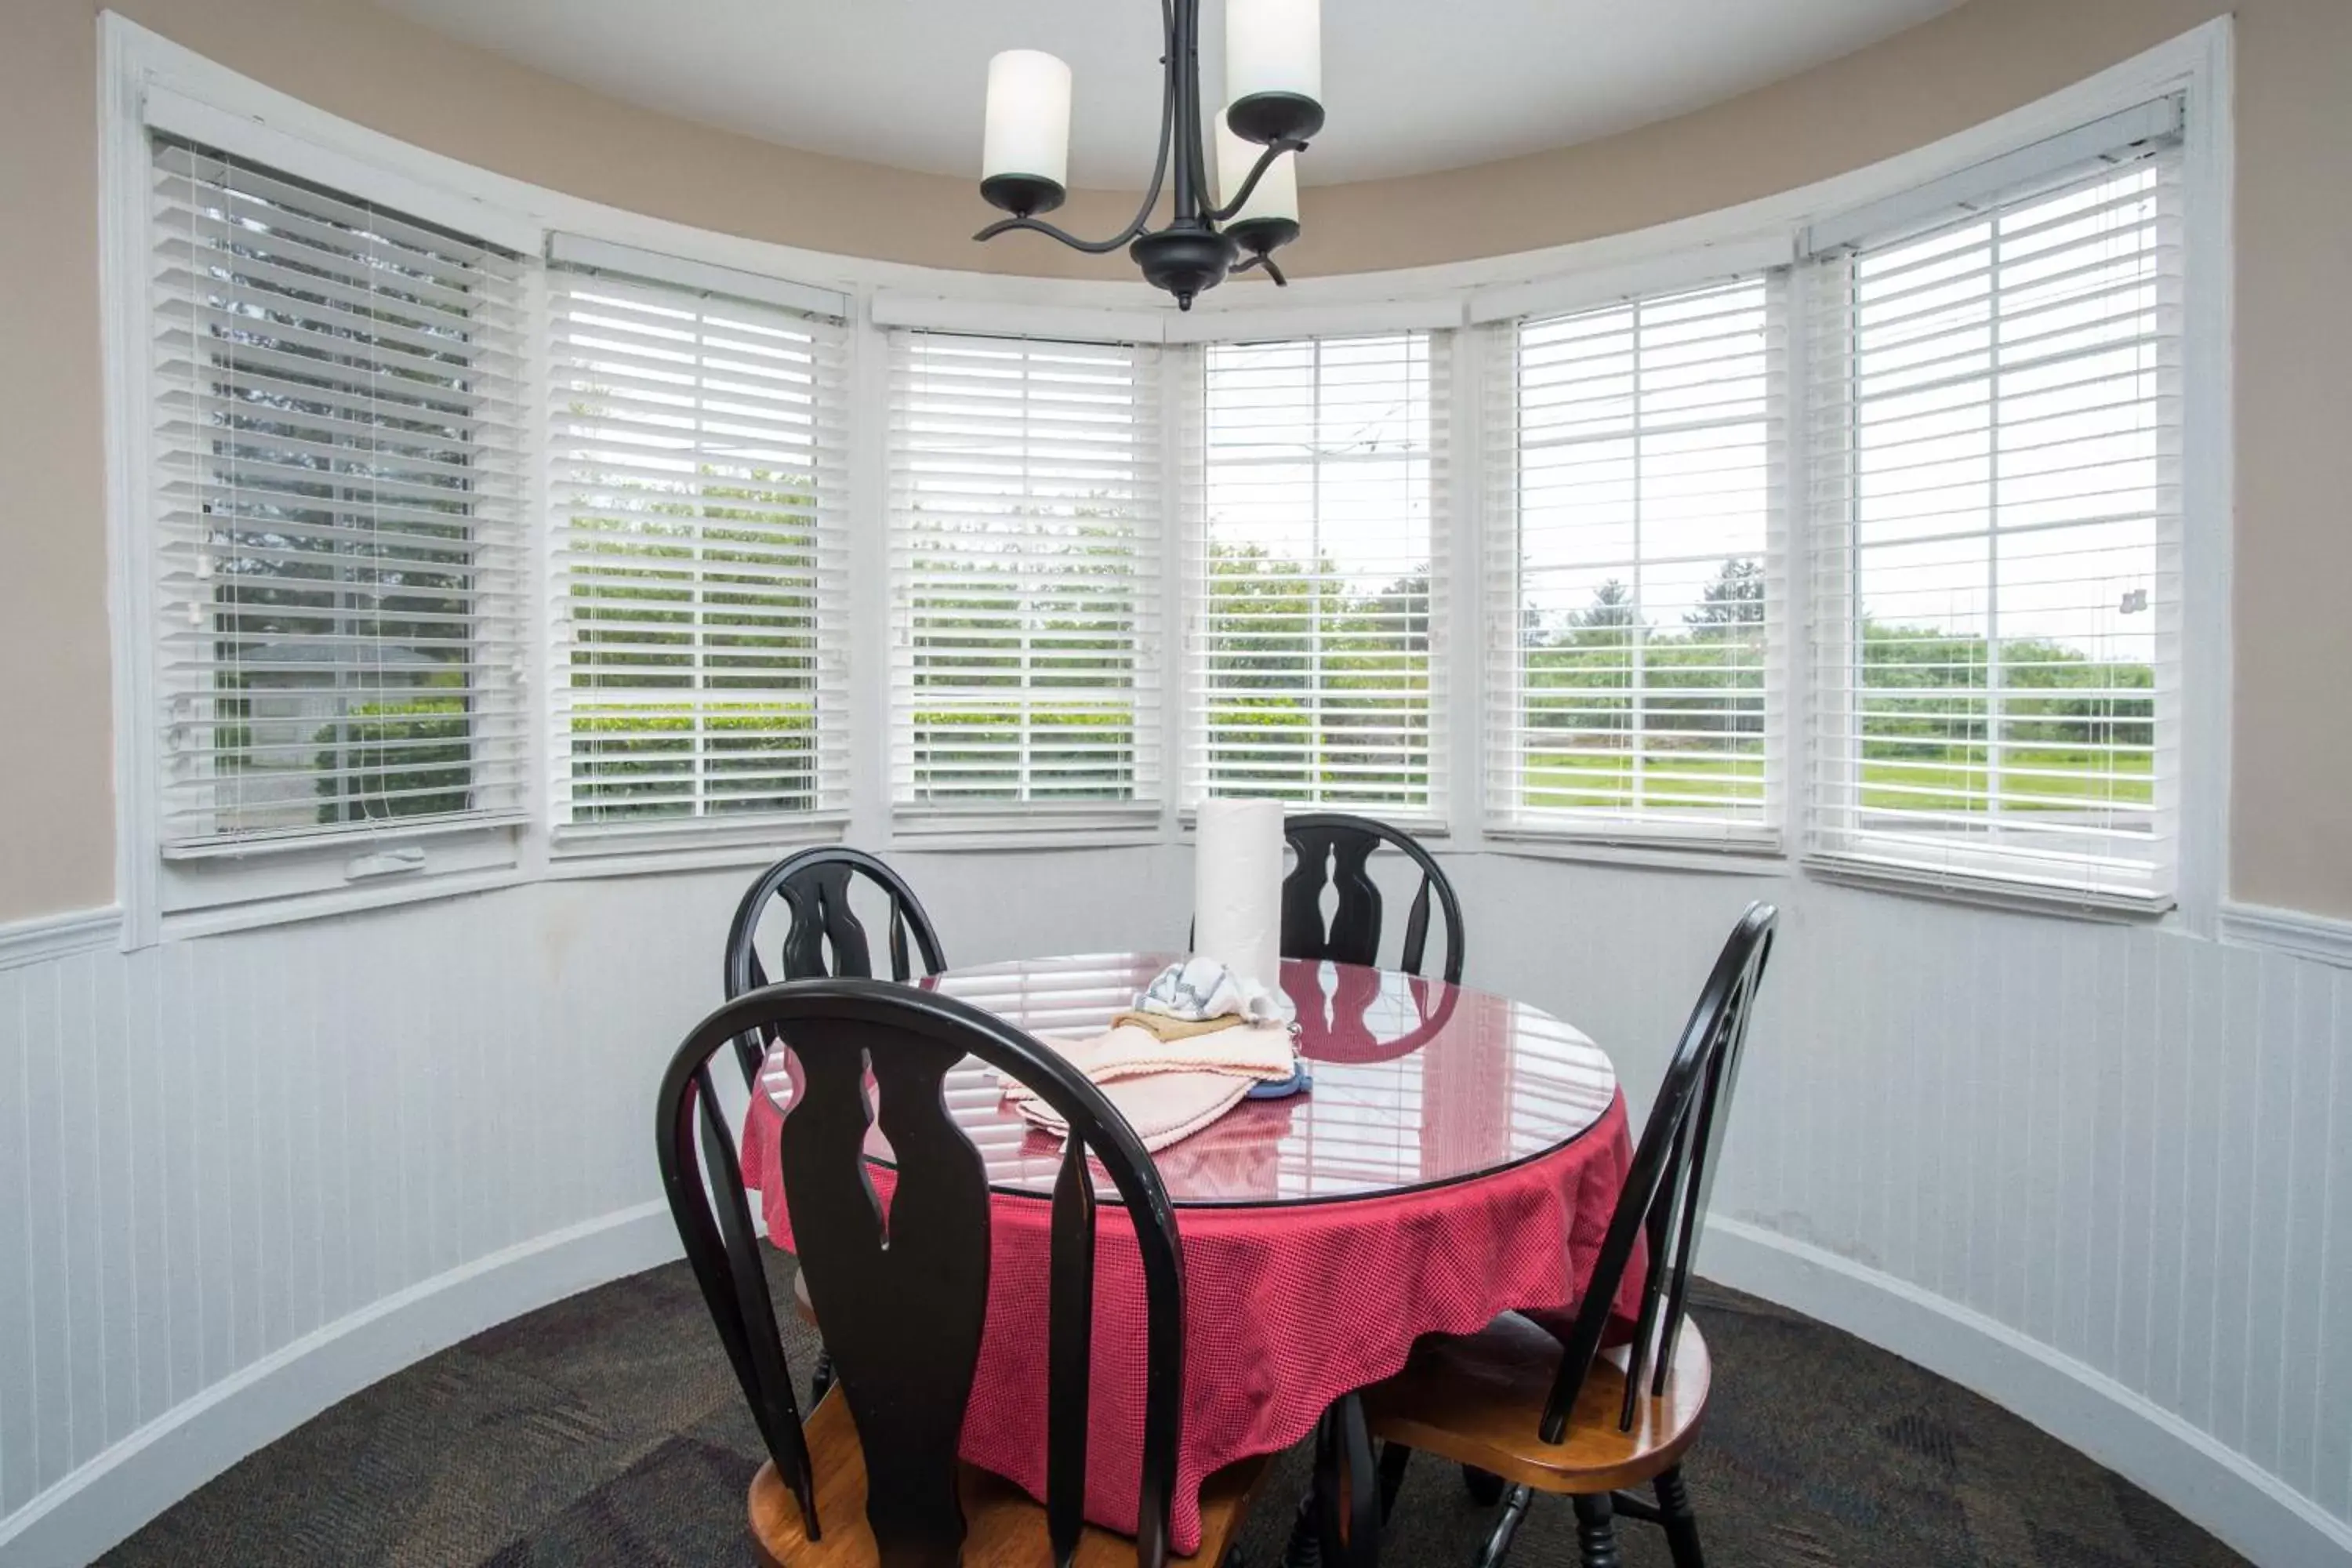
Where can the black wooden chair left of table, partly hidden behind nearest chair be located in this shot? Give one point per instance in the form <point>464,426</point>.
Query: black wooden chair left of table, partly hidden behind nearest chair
<point>824,939</point>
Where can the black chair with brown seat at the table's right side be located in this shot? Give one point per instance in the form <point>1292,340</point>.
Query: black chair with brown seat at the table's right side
<point>1565,1416</point>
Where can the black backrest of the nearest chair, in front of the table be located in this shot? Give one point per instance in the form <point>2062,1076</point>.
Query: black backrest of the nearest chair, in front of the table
<point>904,1304</point>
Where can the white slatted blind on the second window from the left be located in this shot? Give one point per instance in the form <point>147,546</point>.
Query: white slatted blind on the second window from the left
<point>702,579</point>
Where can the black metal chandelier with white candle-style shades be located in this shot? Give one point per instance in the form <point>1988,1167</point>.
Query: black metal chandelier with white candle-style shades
<point>1274,76</point>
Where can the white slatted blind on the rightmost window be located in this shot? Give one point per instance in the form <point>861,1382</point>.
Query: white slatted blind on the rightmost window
<point>1993,464</point>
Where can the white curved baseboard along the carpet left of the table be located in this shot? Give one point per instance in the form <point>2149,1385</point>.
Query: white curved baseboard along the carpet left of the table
<point>154,1468</point>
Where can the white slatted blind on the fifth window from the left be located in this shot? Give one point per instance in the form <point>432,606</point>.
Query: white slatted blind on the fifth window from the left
<point>1633,561</point>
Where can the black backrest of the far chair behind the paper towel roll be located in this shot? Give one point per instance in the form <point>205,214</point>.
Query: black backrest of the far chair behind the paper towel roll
<point>1335,850</point>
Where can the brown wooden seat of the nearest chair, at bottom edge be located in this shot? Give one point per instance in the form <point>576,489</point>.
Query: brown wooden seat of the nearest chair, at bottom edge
<point>1005,1525</point>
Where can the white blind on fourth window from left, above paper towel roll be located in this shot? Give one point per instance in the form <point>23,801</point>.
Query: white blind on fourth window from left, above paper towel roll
<point>1318,575</point>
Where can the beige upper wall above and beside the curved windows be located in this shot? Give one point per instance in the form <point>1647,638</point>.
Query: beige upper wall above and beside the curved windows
<point>2292,843</point>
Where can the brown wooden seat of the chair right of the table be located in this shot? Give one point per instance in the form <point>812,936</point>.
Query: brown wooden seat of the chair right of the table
<point>1478,1400</point>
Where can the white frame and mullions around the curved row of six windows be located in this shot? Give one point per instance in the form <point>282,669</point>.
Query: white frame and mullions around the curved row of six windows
<point>140,67</point>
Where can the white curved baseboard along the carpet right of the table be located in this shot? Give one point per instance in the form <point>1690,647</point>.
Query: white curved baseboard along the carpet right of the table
<point>2224,1492</point>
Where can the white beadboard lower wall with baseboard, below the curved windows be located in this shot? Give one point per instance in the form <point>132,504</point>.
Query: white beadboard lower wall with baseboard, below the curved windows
<point>2097,1172</point>
